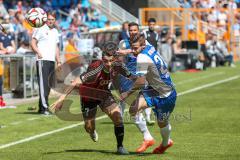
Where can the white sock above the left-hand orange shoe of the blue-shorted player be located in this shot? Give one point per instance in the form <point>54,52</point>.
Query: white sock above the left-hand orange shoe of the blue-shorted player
<point>142,126</point>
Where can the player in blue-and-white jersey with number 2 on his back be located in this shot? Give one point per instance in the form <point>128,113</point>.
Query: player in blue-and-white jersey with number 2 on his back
<point>159,94</point>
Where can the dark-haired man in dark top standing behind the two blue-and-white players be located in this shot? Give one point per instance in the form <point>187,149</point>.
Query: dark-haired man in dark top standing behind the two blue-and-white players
<point>151,35</point>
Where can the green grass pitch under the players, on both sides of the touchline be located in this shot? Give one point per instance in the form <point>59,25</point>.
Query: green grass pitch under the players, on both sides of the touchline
<point>205,125</point>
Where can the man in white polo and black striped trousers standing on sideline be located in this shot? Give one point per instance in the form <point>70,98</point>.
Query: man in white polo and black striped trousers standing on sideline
<point>45,44</point>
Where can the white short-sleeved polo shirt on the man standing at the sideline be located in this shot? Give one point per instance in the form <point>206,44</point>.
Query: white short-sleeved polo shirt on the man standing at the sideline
<point>47,42</point>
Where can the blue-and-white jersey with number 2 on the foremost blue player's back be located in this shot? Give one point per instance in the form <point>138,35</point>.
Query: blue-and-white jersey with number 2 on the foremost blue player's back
<point>151,64</point>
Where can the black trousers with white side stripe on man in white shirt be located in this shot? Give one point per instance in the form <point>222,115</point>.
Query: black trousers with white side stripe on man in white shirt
<point>45,74</point>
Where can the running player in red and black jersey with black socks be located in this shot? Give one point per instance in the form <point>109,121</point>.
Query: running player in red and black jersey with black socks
<point>94,91</point>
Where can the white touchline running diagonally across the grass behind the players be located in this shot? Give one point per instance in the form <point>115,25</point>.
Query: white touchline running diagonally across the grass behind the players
<point>105,116</point>
